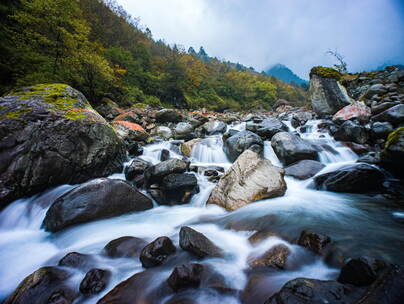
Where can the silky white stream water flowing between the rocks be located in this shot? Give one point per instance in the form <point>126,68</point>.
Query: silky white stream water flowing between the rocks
<point>358,224</point>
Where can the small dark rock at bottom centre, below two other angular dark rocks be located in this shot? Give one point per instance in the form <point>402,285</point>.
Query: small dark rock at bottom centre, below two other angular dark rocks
<point>185,276</point>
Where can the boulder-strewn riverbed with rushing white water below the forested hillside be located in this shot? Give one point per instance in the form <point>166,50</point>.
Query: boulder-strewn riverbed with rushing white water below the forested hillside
<point>141,205</point>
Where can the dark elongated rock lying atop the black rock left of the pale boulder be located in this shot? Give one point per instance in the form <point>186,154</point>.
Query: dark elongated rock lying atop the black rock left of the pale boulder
<point>157,172</point>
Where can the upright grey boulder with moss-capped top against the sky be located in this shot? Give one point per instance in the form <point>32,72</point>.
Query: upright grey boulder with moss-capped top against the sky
<point>327,95</point>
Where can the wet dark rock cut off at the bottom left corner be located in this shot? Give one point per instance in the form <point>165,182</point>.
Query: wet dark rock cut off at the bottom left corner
<point>45,285</point>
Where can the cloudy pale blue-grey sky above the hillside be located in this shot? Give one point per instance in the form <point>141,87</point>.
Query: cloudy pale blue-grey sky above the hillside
<point>297,33</point>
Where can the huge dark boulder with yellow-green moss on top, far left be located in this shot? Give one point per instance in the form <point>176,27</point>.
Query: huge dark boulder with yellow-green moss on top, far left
<point>50,135</point>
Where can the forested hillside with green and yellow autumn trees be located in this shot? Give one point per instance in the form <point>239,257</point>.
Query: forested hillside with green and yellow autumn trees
<point>96,47</point>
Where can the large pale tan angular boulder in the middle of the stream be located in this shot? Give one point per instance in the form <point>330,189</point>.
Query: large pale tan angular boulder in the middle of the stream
<point>250,178</point>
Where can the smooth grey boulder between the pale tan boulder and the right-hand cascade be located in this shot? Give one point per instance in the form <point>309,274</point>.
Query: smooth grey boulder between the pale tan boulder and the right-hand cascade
<point>290,148</point>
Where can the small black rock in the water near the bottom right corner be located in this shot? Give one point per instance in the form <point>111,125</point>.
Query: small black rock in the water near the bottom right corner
<point>358,272</point>
